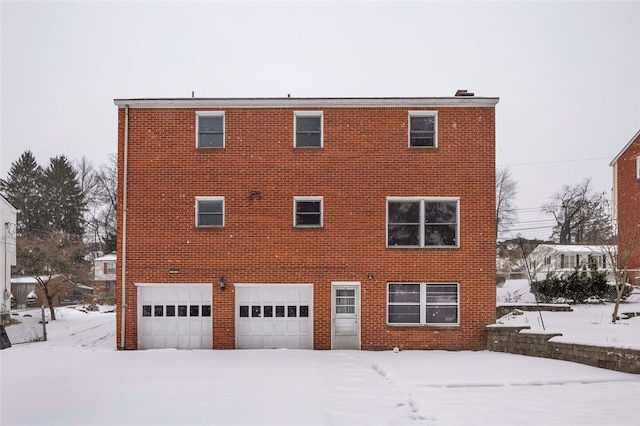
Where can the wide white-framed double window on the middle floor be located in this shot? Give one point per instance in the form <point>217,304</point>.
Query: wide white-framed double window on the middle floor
<point>422,222</point>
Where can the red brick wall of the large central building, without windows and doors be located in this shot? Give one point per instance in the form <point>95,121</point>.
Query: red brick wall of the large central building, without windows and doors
<point>364,160</point>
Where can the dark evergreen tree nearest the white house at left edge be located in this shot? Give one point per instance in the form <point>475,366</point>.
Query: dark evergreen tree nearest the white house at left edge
<point>24,188</point>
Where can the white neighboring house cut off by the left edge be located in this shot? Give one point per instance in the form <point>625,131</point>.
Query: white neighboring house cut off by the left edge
<point>7,251</point>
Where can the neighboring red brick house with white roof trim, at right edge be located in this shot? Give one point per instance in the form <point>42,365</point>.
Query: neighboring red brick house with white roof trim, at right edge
<point>626,205</point>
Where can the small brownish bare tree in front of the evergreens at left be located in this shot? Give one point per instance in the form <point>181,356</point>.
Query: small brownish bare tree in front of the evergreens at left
<point>56,261</point>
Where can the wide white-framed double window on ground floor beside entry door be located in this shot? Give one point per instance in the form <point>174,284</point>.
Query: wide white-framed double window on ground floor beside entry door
<point>423,304</point>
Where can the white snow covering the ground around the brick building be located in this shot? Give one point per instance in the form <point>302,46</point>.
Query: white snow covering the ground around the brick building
<point>78,378</point>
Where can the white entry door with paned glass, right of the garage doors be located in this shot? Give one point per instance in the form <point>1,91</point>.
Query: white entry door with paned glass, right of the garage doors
<point>345,315</point>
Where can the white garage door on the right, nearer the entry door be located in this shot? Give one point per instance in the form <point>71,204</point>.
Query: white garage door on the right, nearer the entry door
<point>274,316</point>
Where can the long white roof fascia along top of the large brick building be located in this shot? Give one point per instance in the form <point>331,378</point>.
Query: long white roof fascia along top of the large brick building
<point>460,101</point>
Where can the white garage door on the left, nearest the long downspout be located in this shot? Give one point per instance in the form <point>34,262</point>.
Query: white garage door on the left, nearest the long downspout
<point>174,316</point>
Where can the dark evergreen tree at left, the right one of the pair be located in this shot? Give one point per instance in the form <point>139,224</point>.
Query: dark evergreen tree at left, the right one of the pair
<point>63,199</point>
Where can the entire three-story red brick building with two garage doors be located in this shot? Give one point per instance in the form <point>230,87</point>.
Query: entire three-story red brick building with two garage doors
<point>343,223</point>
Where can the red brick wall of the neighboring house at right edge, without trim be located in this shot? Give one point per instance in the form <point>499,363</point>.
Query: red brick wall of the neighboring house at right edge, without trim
<point>628,198</point>
